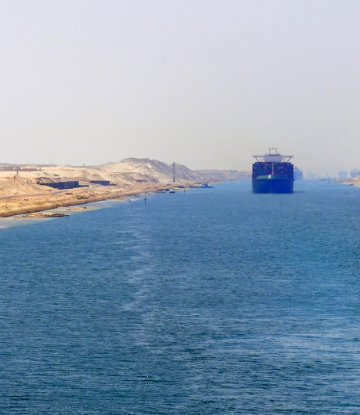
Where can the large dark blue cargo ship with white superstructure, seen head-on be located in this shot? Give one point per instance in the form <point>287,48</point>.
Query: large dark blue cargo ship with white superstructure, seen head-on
<point>273,173</point>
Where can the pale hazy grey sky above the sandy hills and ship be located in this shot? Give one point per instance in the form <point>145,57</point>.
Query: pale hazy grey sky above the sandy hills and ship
<point>205,83</point>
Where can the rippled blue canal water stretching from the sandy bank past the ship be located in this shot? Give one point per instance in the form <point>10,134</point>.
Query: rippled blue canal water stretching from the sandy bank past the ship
<point>212,301</point>
